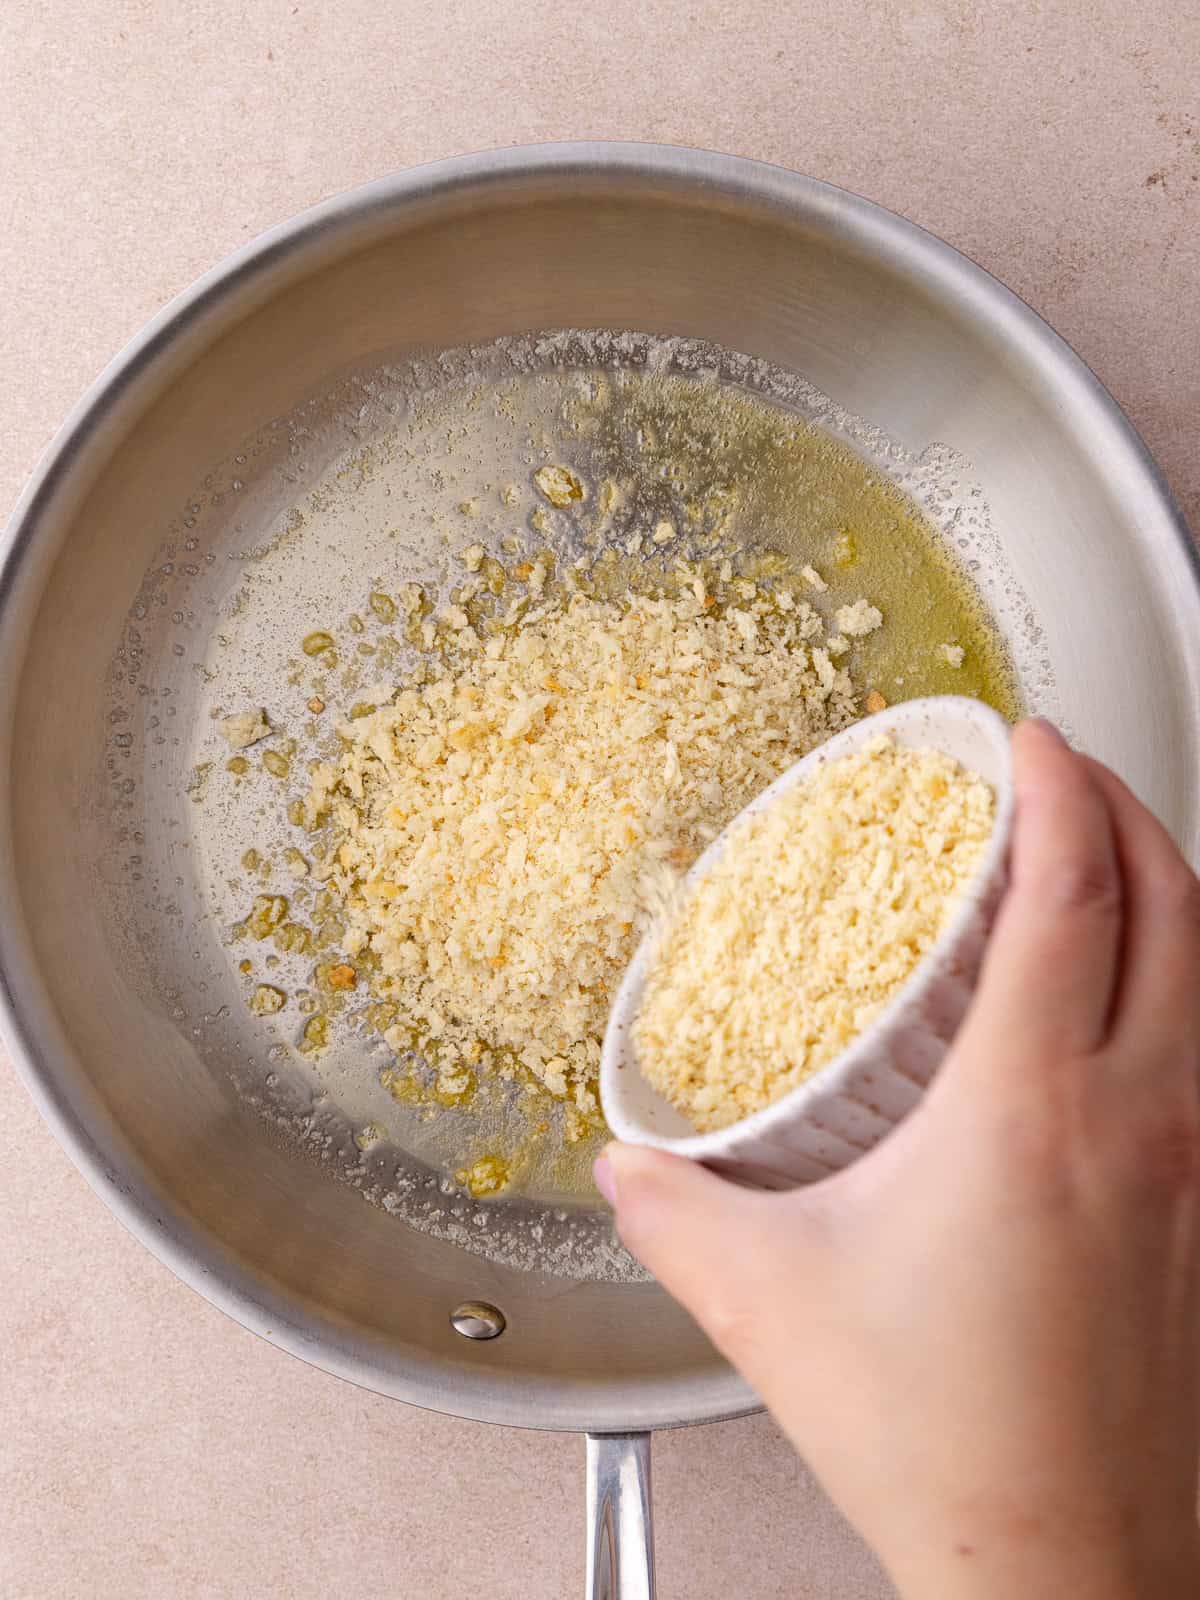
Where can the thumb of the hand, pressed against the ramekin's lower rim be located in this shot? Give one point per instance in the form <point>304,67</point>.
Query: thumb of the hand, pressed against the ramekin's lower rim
<point>713,1246</point>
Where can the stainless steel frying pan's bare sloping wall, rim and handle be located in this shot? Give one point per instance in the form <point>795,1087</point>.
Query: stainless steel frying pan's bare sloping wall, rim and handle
<point>145,1082</point>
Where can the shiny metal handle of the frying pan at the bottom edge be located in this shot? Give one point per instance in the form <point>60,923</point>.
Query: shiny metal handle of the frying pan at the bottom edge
<point>620,1521</point>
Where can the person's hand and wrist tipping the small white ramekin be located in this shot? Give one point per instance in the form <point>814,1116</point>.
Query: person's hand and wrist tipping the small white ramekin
<point>985,1335</point>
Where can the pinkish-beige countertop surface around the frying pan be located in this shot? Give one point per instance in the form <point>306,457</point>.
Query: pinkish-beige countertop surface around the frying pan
<point>148,1446</point>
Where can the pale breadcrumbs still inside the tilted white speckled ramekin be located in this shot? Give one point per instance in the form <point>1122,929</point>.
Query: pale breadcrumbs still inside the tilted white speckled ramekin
<point>817,913</point>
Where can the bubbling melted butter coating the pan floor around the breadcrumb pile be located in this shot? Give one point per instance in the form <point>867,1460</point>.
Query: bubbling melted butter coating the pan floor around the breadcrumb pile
<point>311,529</point>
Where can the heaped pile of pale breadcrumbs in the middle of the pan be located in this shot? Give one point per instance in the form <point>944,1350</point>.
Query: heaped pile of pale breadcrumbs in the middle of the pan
<point>505,828</point>
